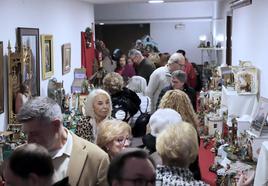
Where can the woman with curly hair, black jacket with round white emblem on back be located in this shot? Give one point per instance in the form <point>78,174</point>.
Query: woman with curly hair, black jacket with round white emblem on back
<point>125,102</point>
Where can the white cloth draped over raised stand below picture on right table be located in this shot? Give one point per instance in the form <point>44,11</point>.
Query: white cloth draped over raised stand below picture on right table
<point>238,104</point>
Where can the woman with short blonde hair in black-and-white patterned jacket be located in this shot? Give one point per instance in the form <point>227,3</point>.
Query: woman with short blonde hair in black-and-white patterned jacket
<point>177,156</point>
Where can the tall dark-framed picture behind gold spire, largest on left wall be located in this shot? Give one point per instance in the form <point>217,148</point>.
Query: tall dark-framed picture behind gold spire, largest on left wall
<point>29,37</point>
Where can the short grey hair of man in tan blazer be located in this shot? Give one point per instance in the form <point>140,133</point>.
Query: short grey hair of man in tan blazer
<point>41,109</point>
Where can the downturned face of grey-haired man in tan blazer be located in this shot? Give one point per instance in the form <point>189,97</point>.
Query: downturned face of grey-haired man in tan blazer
<point>41,132</point>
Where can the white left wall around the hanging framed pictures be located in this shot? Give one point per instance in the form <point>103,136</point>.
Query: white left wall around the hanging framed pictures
<point>63,19</point>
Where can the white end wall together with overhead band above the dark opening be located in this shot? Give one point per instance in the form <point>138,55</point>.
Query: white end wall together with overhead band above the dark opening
<point>196,16</point>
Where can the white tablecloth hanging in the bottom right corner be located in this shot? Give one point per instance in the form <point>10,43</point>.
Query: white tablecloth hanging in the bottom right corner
<point>261,176</point>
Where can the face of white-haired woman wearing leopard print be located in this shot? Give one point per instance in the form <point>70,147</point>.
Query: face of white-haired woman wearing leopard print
<point>101,106</point>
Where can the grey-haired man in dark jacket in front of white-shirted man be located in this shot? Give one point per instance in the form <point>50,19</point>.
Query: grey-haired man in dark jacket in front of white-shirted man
<point>178,81</point>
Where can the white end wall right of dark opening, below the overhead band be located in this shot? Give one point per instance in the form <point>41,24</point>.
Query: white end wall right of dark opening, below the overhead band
<point>170,39</point>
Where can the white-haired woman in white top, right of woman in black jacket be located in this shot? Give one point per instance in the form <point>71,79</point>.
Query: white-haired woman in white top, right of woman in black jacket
<point>138,85</point>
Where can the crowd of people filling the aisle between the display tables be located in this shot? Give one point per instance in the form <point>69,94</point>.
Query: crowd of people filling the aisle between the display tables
<point>103,151</point>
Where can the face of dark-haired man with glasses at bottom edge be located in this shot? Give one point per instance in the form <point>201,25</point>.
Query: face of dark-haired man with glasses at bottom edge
<point>137,172</point>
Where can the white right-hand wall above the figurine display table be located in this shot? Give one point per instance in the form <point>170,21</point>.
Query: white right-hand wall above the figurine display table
<point>250,39</point>
